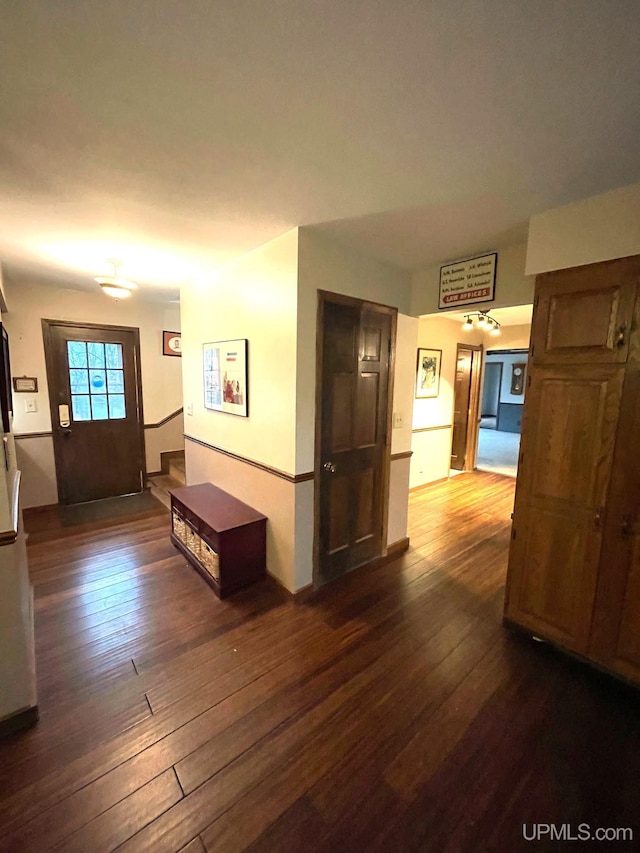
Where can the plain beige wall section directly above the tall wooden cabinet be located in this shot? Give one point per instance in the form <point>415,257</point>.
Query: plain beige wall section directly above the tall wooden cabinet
<point>599,228</point>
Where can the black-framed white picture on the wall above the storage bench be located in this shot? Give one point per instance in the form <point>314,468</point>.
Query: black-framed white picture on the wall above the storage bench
<point>225,377</point>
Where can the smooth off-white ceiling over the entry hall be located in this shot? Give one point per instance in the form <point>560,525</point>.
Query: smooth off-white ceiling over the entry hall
<point>177,135</point>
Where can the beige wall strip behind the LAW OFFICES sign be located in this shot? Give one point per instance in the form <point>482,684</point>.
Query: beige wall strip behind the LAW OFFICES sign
<point>513,287</point>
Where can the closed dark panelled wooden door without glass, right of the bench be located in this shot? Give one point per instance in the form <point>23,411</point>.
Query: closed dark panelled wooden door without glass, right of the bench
<point>353,459</point>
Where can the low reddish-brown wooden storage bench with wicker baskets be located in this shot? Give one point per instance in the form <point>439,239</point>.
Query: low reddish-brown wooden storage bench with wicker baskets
<point>222,537</point>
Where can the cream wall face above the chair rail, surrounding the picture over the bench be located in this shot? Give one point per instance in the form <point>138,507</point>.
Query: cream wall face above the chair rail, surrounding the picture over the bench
<point>253,297</point>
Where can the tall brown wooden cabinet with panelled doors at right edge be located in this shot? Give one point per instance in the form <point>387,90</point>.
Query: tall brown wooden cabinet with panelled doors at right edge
<point>574,561</point>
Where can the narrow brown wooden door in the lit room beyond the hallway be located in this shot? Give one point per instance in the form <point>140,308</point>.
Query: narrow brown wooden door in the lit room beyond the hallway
<point>465,407</point>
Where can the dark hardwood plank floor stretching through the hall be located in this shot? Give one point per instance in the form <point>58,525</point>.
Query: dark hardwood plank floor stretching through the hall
<point>391,712</point>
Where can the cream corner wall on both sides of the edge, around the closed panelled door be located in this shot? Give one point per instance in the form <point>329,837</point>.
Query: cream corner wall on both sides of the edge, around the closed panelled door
<point>269,296</point>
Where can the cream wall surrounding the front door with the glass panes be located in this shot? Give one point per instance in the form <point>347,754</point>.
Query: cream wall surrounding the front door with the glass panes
<point>161,375</point>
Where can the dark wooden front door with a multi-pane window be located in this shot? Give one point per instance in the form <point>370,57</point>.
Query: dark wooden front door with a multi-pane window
<point>96,409</point>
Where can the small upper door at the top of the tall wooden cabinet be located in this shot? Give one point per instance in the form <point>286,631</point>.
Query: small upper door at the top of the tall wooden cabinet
<point>584,315</point>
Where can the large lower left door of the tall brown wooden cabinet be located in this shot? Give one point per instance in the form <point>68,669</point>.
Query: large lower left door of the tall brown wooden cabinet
<point>568,440</point>
